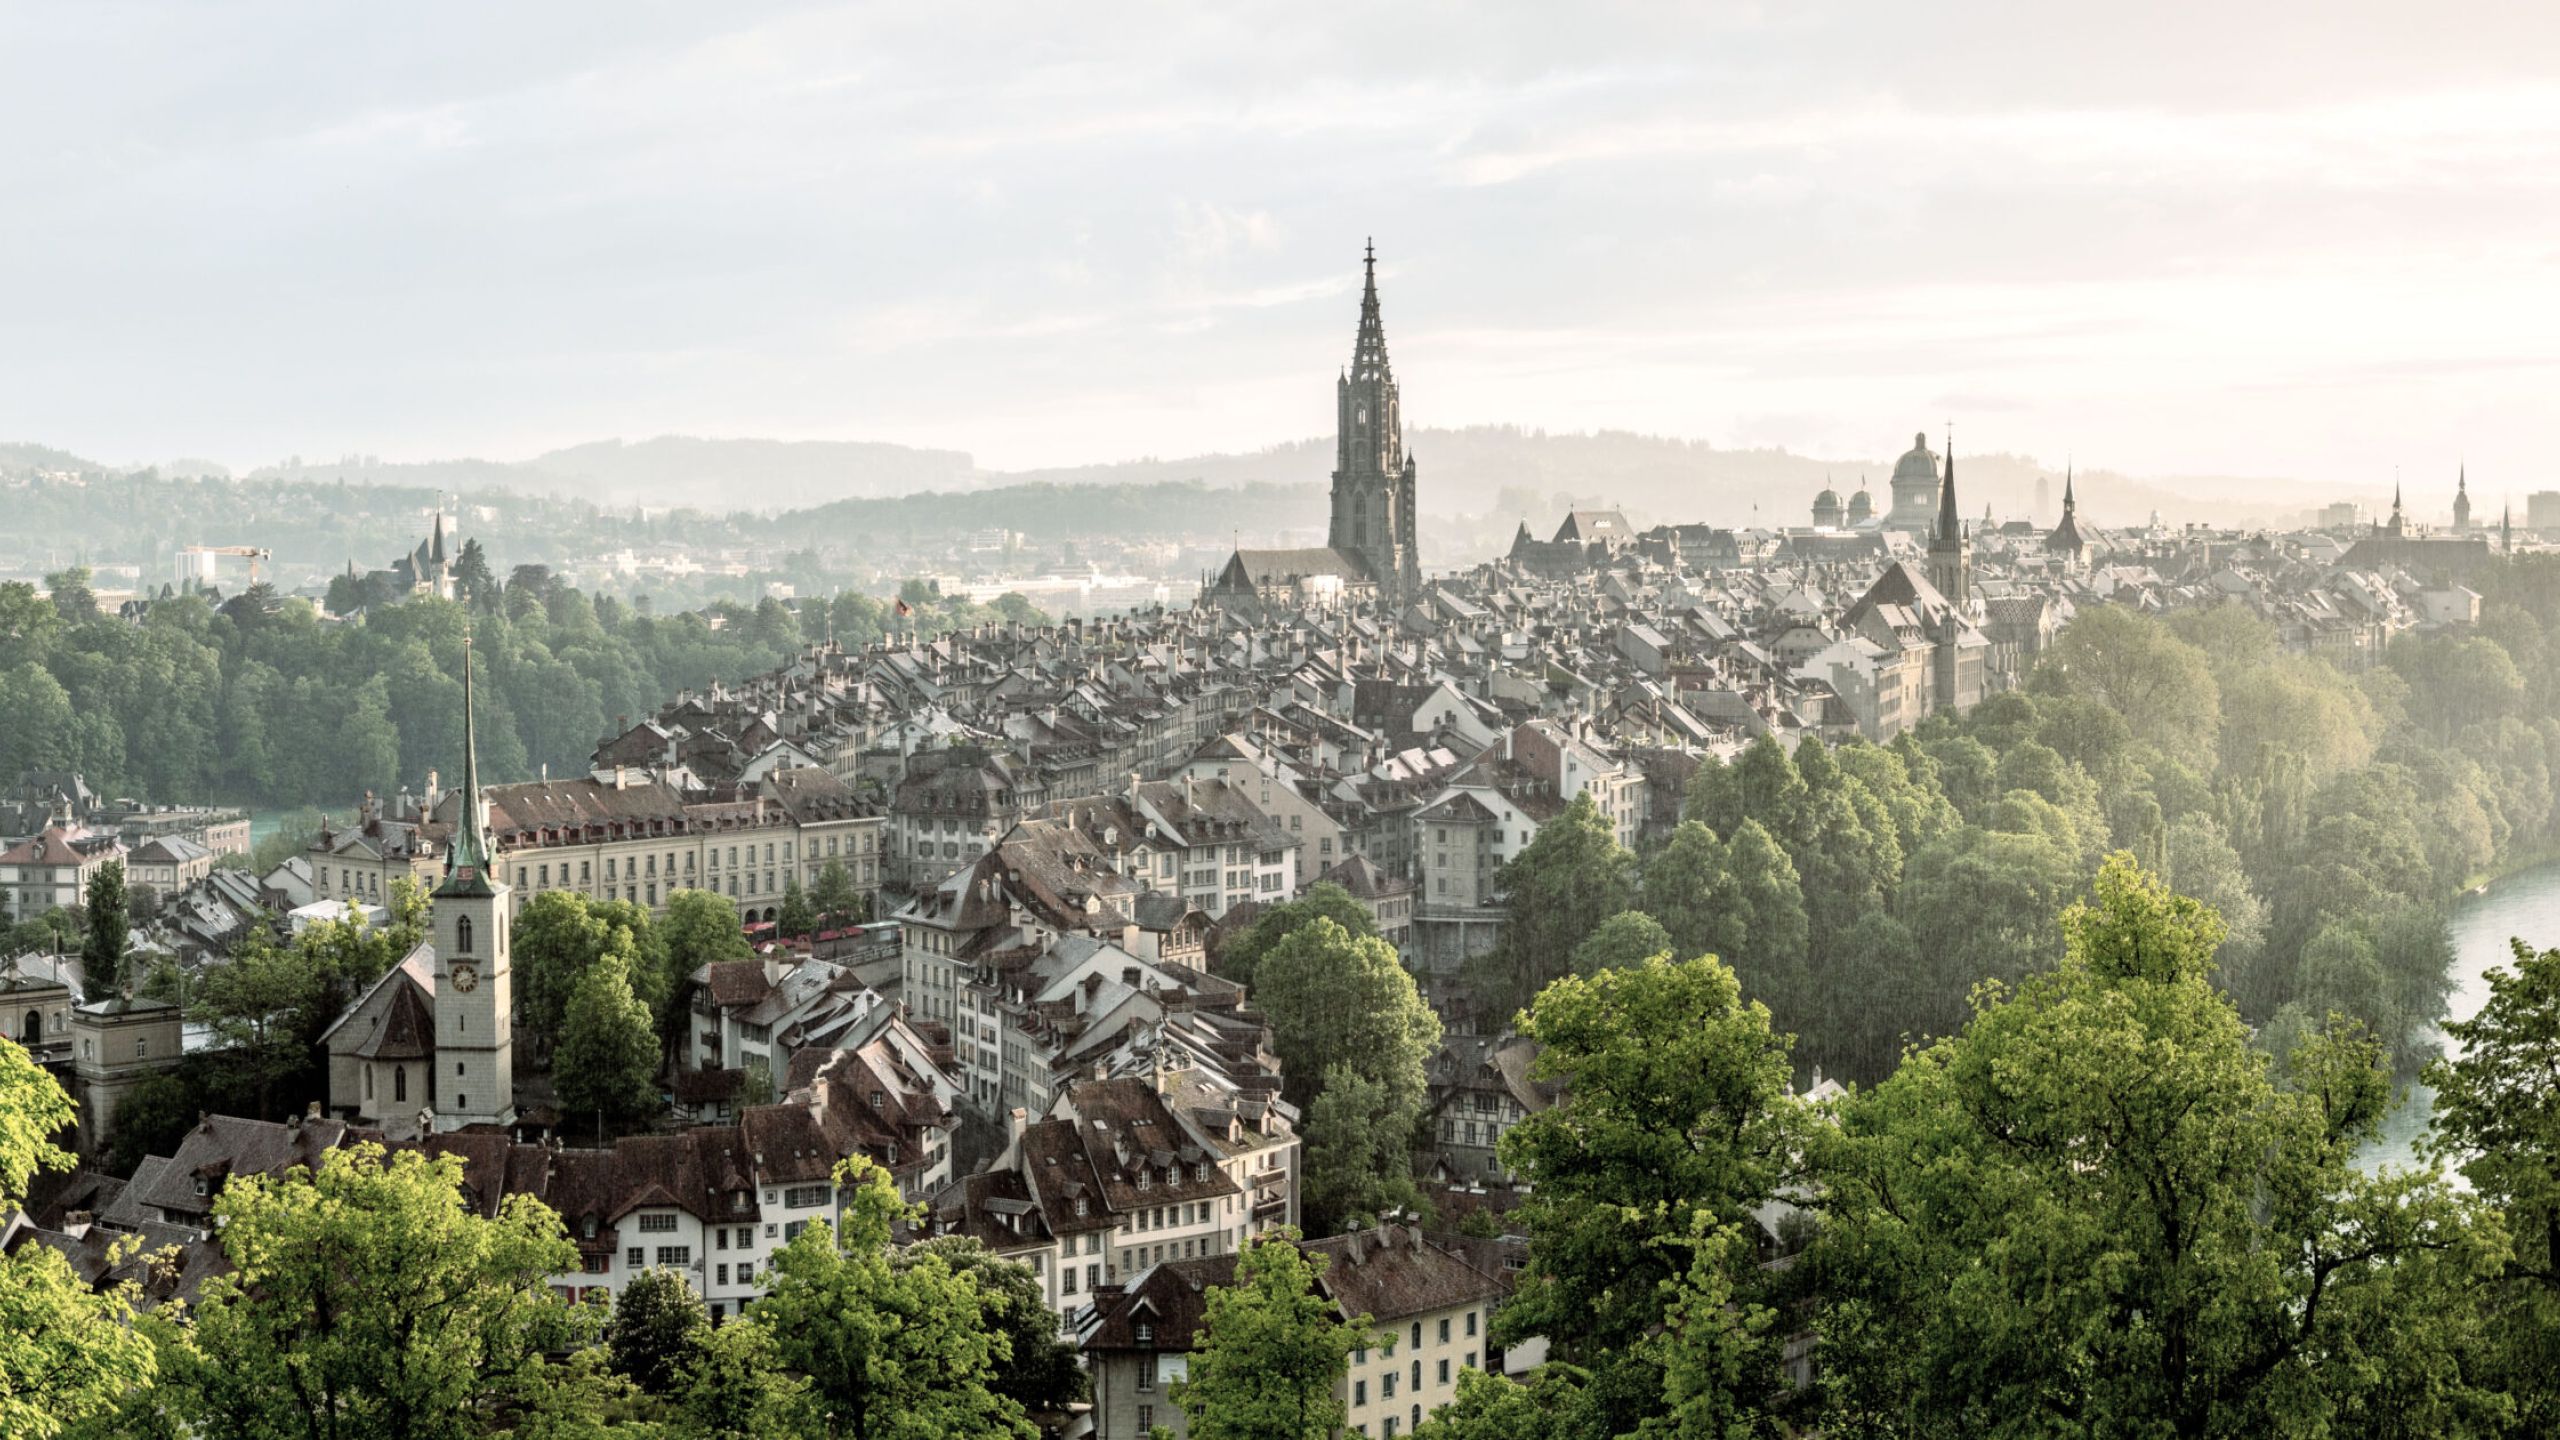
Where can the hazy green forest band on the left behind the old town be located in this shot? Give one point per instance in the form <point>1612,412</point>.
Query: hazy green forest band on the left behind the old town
<point>270,703</point>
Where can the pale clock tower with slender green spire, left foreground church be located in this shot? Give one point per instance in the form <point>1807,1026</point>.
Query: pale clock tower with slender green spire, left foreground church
<point>475,998</point>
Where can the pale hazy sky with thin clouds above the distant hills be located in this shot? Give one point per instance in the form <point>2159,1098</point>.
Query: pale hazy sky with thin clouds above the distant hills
<point>2275,240</point>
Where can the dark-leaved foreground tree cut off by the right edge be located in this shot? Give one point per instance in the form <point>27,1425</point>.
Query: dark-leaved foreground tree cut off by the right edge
<point>2500,1121</point>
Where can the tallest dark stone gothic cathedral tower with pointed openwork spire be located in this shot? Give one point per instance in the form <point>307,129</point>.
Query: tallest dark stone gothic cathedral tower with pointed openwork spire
<point>1373,475</point>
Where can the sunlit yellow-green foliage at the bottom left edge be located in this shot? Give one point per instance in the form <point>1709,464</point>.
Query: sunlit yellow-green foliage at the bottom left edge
<point>68,1354</point>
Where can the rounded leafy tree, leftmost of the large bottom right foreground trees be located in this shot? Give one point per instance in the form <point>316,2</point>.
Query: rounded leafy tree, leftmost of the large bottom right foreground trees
<point>1676,1116</point>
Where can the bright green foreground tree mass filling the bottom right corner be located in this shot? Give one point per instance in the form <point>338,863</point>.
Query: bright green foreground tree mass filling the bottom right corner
<point>2095,1208</point>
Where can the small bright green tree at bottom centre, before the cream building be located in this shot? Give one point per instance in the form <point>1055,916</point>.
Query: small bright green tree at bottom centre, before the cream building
<point>1271,1352</point>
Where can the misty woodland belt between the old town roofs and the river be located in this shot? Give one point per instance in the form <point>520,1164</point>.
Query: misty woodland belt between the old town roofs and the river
<point>1865,890</point>
